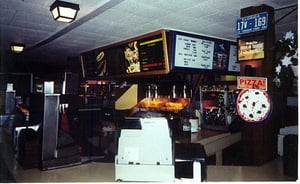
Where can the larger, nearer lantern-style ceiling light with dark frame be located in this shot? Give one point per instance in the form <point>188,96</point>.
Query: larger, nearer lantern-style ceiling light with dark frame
<point>64,11</point>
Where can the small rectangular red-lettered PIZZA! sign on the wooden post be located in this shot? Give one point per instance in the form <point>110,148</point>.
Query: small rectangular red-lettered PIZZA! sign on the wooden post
<point>252,83</point>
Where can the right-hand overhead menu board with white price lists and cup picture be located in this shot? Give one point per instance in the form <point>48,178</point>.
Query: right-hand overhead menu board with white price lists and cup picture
<point>198,49</point>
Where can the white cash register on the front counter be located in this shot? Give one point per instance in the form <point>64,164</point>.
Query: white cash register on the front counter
<point>145,151</point>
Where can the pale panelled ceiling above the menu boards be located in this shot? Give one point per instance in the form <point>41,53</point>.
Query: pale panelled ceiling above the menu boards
<point>102,22</point>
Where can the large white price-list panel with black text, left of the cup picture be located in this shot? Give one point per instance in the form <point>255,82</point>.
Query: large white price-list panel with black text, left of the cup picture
<point>193,52</point>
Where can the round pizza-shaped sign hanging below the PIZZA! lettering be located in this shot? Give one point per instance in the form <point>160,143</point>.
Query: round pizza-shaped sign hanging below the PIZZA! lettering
<point>253,105</point>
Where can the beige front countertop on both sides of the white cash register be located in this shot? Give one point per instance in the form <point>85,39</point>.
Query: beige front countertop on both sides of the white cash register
<point>104,172</point>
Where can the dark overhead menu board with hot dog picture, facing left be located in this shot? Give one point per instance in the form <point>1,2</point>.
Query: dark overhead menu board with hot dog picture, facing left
<point>128,58</point>
